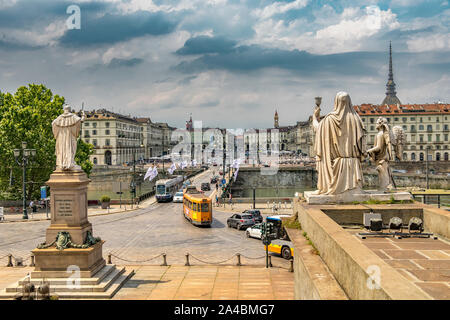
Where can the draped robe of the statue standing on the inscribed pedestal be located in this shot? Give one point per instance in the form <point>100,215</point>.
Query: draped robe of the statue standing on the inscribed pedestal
<point>66,129</point>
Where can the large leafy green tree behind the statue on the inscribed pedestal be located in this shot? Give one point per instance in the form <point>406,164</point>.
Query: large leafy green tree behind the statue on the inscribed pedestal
<point>27,116</point>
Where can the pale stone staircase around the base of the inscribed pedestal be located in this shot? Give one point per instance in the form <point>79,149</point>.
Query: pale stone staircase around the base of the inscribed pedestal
<point>103,285</point>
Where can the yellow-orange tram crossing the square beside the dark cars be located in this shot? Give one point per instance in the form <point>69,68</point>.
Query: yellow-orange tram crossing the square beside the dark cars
<point>197,208</point>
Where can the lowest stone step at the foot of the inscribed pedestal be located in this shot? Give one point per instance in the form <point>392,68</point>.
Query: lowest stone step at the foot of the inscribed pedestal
<point>114,283</point>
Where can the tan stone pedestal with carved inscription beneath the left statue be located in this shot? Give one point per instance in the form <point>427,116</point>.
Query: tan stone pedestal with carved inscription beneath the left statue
<point>68,213</point>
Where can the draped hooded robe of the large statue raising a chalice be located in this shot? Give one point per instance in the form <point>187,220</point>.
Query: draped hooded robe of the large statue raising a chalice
<point>339,149</point>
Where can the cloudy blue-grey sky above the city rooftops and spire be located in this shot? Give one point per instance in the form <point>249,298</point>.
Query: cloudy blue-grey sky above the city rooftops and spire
<point>230,63</point>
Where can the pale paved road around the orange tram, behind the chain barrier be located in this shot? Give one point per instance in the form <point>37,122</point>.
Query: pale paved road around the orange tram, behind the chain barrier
<point>139,235</point>
